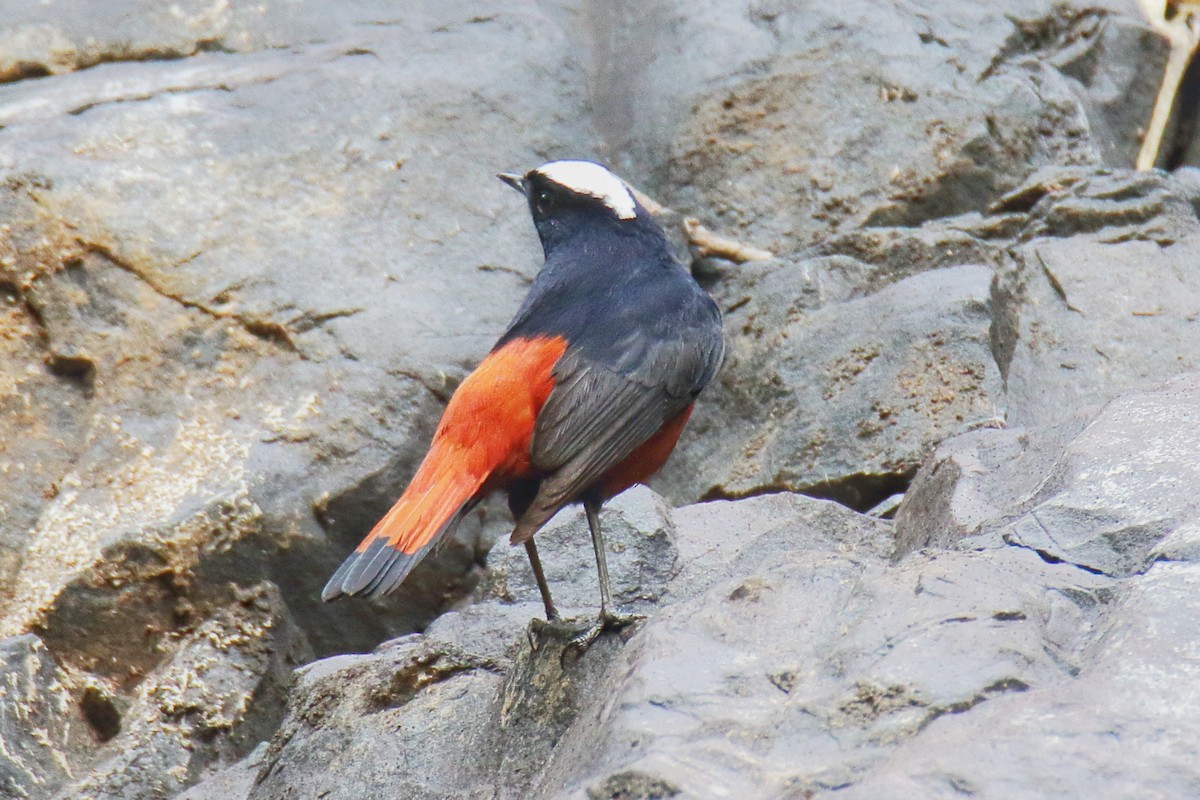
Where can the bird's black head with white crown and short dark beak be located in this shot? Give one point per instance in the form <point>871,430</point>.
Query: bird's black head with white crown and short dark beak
<point>571,199</point>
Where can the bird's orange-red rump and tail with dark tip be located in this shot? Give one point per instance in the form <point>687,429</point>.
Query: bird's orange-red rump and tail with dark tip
<point>484,438</point>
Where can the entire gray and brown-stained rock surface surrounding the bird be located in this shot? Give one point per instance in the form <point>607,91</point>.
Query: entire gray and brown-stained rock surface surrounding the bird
<point>249,250</point>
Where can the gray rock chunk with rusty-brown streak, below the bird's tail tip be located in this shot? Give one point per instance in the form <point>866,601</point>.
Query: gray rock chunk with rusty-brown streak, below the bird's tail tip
<point>350,717</point>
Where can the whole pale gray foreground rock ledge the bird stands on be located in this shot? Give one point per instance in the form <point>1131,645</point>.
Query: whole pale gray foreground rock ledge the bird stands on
<point>793,648</point>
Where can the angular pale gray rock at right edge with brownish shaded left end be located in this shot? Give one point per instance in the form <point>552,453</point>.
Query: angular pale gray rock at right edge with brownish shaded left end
<point>1106,497</point>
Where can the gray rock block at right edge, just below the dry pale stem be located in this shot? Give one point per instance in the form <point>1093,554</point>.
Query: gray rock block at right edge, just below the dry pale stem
<point>1103,298</point>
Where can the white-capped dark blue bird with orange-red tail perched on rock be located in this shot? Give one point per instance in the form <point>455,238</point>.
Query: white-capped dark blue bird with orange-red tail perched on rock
<point>584,395</point>
